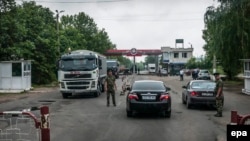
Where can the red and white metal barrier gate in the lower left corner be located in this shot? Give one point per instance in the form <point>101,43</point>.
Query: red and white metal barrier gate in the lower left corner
<point>24,125</point>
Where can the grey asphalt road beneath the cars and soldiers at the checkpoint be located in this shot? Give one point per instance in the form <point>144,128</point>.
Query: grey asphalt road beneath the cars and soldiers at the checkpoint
<point>88,118</point>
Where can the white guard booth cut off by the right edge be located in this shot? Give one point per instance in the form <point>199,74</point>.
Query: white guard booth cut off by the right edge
<point>246,75</point>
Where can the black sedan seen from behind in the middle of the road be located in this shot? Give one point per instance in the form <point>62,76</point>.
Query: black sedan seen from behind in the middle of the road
<point>149,96</point>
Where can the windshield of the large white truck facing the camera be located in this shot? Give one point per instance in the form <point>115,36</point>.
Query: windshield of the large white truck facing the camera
<point>81,64</point>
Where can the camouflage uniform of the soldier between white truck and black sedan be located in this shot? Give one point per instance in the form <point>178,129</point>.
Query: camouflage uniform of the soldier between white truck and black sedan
<point>110,80</point>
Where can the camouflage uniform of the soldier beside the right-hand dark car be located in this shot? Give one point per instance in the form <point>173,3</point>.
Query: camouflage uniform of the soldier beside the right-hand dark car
<point>219,100</point>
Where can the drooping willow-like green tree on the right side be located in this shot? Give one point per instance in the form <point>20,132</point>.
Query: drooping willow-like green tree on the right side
<point>227,34</point>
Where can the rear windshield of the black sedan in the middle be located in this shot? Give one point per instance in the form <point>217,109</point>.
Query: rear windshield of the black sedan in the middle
<point>148,86</point>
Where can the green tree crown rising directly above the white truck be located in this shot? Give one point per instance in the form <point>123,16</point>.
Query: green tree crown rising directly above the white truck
<point>80,32</point>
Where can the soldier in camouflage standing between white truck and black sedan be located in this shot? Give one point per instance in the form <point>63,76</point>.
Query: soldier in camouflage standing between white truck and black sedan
<point>110,87</point>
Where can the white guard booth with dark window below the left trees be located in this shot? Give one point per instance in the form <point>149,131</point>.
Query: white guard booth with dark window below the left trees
<point>15,76</point>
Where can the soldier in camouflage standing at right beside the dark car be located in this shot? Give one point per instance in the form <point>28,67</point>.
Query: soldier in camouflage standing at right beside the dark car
<point>219,95</point>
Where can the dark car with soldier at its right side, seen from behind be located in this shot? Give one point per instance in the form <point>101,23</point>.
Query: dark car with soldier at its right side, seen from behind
<point>199,92</point>
